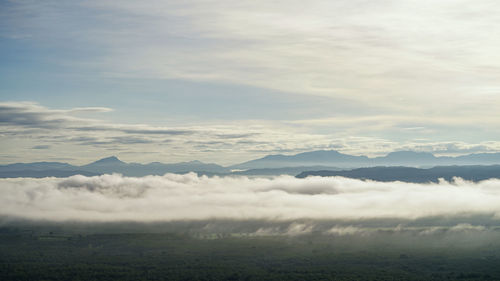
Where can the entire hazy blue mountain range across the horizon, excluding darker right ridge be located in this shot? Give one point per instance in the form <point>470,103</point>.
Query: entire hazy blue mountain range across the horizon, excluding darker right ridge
<point>320,160</point>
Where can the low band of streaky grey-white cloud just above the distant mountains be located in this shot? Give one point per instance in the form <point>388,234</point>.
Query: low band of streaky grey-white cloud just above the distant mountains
<point>32,132</point>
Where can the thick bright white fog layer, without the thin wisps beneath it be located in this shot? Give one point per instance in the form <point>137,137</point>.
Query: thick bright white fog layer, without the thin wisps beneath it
<point>189,197</point>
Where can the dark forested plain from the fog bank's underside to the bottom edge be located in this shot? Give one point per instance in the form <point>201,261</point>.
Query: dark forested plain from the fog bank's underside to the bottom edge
<point>213,250</point>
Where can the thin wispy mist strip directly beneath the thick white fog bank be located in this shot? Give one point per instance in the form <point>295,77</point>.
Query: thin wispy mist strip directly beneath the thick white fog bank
<point>378,235</point>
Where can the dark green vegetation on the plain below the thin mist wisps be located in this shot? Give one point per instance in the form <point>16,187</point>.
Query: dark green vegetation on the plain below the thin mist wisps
<point>27,255</point>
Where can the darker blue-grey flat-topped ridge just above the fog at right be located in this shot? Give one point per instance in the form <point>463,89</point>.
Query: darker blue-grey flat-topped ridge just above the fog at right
<point>415,175</point>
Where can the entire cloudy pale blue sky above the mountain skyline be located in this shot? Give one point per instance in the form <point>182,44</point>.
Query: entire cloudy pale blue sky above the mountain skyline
<point>229,81</point>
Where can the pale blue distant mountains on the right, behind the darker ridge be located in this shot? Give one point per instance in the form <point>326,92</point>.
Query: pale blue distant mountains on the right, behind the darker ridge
<point>337,159</point>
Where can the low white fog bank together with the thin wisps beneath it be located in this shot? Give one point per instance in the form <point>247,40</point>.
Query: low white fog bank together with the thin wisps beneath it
<point>457,214</point>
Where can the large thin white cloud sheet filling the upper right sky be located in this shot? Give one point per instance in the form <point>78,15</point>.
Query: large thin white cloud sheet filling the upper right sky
<point>396,55</point>
